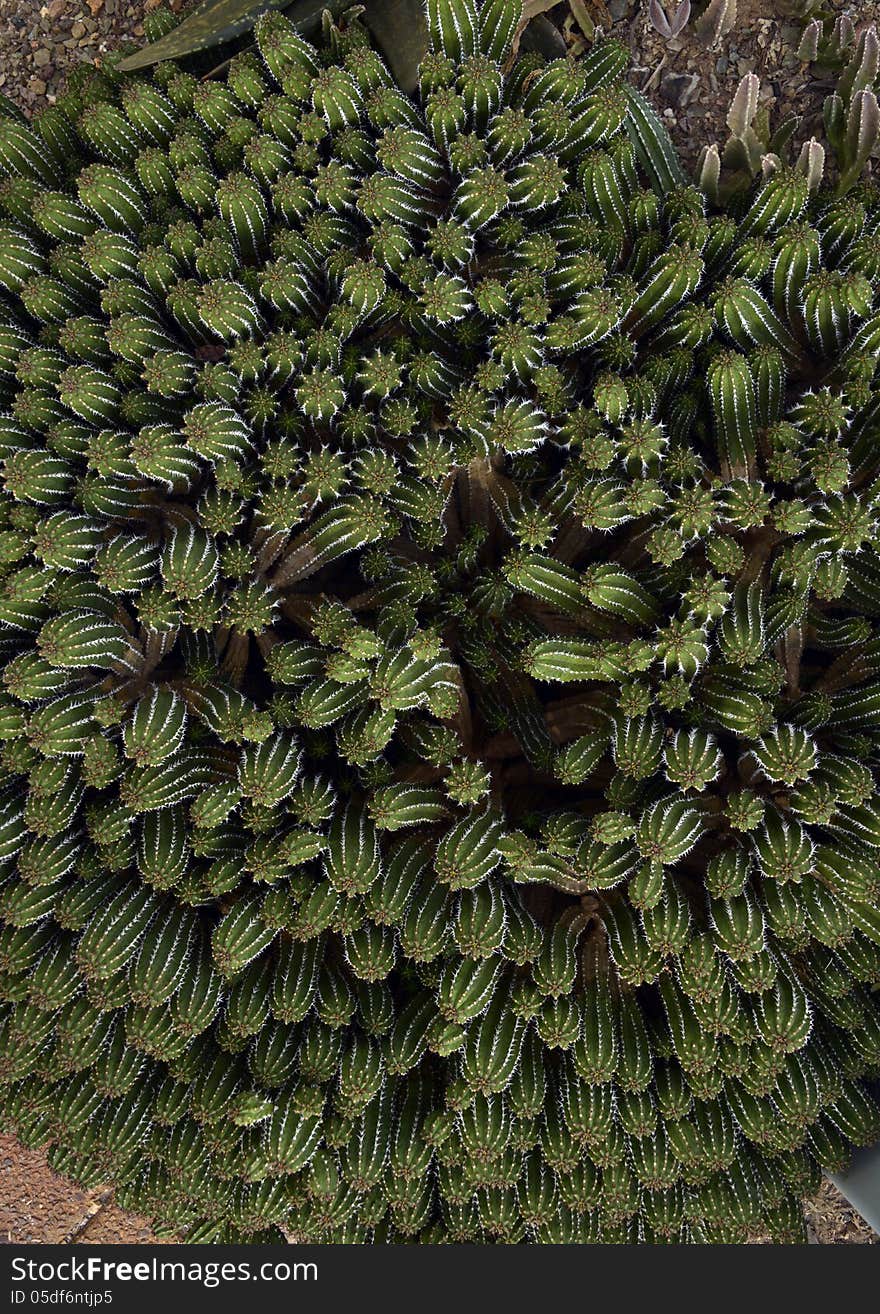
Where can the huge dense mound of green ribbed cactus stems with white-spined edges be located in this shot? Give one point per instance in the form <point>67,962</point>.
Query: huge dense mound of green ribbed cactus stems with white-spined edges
<point>441,671</point>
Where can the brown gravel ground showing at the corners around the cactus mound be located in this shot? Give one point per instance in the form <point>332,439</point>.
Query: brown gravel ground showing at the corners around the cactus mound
<point>693,87</point>
